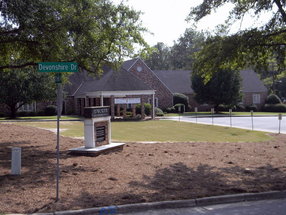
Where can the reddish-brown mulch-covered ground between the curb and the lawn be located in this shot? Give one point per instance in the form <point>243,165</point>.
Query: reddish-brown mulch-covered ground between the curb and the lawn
<point>139,173</point>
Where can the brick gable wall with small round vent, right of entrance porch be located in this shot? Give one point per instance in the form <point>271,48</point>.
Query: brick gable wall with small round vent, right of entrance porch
<point>164,96</point>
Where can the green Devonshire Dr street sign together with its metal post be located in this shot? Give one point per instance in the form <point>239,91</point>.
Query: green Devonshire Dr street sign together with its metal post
<point>58,68</point>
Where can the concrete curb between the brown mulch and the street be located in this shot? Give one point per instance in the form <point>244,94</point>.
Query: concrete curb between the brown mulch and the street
<point>198,202</point>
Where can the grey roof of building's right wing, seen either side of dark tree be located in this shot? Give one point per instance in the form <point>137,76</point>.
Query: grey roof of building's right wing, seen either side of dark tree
<point>180,81</point>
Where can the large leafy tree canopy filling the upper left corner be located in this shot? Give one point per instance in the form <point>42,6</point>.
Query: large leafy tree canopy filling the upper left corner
<point>90,32</point>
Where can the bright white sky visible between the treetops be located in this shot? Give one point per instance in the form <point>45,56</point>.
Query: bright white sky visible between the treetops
<point>166,18</point>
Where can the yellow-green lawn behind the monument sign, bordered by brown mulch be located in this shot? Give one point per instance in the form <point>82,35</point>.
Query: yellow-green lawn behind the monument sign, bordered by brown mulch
<point>162,131</point>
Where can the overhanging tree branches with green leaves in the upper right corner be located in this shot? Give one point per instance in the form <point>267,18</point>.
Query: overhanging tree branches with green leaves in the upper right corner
<point>254,47</point>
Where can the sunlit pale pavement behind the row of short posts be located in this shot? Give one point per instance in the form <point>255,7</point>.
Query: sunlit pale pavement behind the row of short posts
<point>269,124</point>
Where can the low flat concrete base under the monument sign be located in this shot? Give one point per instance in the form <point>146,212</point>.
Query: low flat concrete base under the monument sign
<point>97,150</point>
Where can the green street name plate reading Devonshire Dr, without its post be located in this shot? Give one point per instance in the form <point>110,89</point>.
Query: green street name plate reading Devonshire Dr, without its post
<point>57,67</point>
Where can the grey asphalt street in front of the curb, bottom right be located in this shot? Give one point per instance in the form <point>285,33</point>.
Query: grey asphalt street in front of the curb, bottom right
<point>266,207</point>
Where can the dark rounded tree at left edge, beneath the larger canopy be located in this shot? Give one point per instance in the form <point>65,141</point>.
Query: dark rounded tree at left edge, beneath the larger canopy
<point>23,87</point>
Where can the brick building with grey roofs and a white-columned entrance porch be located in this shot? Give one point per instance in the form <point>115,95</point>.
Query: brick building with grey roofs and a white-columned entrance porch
<point>135,83</point>
